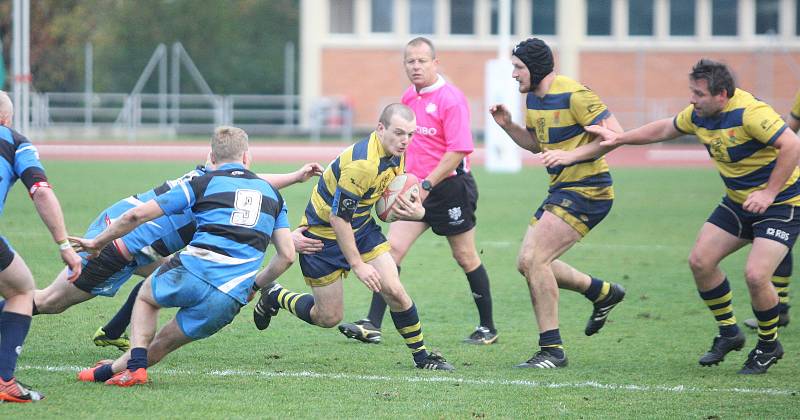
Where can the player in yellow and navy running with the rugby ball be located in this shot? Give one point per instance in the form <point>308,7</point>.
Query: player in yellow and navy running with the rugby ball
<point>339,215</point>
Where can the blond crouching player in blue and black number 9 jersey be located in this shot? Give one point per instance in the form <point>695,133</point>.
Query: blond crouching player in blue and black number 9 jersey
<point>237,215</point>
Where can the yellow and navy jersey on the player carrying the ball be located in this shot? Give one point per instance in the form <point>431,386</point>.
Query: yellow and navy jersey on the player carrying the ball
<point>350,186</point>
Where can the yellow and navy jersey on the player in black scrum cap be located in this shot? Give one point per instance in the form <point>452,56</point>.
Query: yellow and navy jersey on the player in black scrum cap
<point>557,119</point>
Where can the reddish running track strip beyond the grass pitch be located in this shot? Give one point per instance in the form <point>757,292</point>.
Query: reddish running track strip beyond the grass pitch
<point>630,156</point>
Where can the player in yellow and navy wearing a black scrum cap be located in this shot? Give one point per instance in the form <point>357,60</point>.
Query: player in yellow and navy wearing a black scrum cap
<point>579,197</point>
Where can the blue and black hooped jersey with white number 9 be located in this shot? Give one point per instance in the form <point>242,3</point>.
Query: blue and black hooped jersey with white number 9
<point>236,213</point>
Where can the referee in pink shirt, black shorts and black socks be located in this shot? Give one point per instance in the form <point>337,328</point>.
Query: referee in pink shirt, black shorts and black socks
<point>439,156</point>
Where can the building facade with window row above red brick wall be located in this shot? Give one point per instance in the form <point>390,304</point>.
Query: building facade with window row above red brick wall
<point>635,53</point>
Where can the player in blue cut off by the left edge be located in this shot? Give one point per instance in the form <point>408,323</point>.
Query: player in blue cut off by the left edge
<point>21,161</point>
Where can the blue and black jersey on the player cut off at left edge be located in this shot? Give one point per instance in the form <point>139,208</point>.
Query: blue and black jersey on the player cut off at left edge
<point>20,160</point>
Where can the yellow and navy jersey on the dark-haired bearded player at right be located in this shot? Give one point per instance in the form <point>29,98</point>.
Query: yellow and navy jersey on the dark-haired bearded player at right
<point>740,139</point>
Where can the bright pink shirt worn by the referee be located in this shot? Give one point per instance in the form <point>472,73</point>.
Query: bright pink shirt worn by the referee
<point>442,126</point>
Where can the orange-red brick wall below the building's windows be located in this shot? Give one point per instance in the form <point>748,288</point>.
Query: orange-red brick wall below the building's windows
<point>637,86</point>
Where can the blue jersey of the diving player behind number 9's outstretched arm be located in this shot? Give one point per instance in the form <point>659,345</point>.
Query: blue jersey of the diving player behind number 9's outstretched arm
<point>163,236</point>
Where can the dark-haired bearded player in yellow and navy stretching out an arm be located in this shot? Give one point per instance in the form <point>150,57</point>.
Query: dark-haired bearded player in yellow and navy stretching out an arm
<point>756,156</point>
